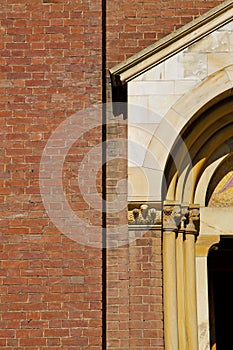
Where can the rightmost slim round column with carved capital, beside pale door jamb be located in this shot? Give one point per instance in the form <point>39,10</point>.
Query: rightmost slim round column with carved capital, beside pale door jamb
<point>190,278</point>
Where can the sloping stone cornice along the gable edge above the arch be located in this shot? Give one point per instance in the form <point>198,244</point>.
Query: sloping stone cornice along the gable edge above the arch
<point>168,46</point>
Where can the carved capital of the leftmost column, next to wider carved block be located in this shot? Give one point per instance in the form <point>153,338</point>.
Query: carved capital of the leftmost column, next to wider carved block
<point>171,217</point>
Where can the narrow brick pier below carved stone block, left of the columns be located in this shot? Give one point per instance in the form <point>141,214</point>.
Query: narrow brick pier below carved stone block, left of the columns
<point>145,290</point>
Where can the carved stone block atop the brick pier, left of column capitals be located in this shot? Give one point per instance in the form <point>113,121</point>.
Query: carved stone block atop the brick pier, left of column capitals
<point>144,214</point>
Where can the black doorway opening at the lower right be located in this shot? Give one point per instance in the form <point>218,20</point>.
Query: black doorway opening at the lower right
<point>220,275</point>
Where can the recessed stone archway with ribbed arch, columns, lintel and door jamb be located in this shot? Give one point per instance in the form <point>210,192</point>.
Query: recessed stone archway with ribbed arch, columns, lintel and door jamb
<point>186,241</point>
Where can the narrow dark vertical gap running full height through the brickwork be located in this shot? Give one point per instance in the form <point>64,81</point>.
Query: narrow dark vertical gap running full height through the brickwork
<point>104,157</point>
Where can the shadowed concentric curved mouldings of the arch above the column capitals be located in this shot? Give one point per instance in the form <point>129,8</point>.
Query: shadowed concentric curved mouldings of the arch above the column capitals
<point>206,139</point>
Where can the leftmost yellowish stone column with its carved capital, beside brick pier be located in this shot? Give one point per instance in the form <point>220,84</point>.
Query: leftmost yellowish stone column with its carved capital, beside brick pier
<point>171,214</point>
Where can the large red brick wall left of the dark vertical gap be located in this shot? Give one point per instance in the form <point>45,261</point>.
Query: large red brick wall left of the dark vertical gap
<point>50,67</point>
